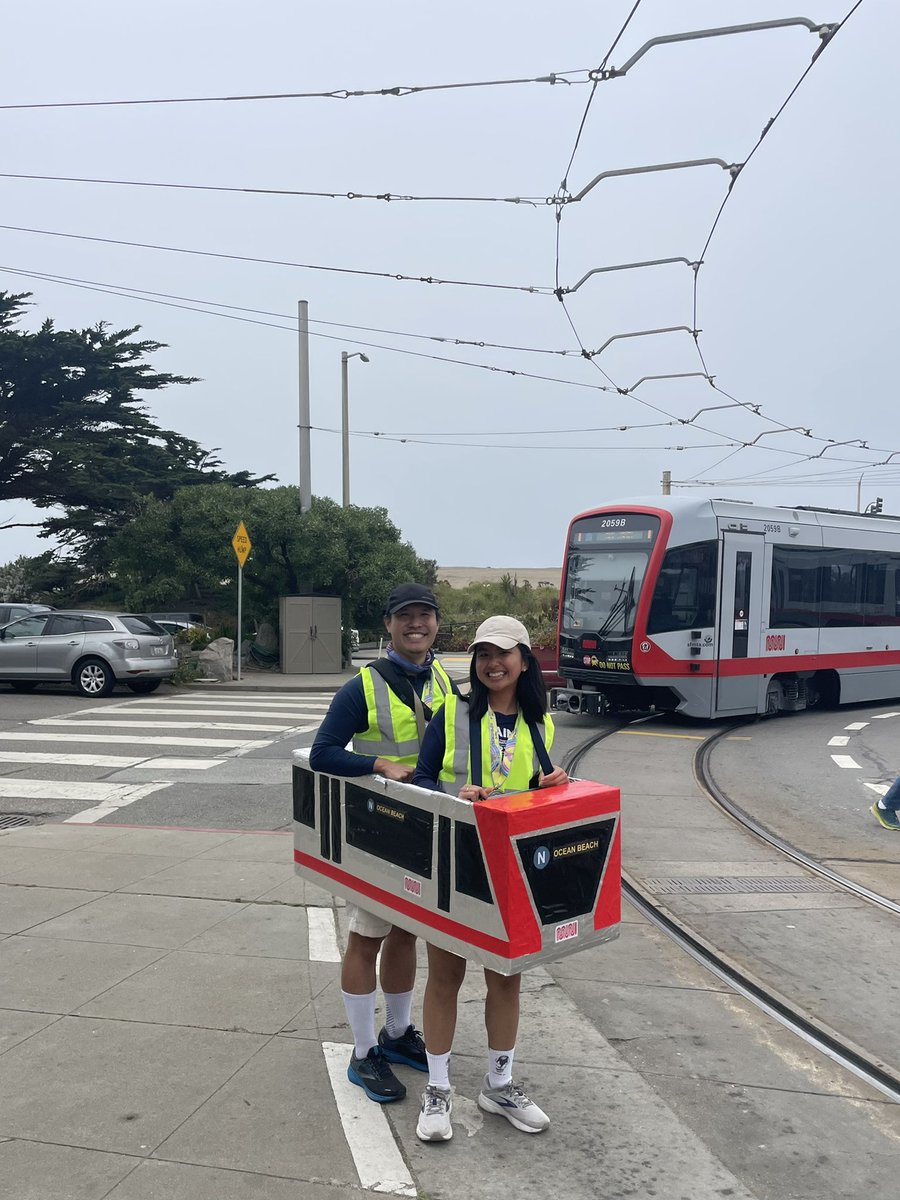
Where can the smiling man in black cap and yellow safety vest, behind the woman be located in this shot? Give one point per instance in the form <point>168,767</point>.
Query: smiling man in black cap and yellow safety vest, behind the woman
<point>383,712</point>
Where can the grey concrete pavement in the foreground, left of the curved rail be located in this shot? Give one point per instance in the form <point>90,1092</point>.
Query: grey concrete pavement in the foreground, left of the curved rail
<point>172,1029</point>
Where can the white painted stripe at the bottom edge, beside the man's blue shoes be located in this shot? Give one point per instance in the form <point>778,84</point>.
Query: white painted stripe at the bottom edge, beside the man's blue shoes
<point>370,1139</point>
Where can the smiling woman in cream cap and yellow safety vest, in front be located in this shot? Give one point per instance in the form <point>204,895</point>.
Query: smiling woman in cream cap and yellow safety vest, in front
<point>494,742</point>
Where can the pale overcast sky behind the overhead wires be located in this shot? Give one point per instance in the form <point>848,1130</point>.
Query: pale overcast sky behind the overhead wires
<point>796,295</point>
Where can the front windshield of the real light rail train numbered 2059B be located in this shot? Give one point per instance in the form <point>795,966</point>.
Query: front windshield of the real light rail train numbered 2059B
<point>608,561</point>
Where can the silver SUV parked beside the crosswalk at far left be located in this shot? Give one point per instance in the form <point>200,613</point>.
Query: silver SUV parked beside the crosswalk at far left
<point>94,651</point>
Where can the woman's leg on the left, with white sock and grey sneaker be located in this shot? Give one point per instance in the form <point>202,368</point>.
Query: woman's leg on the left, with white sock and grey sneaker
<point>446,976</point>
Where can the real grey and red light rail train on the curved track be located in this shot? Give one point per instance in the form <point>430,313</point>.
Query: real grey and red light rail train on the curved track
<point>715,608</point>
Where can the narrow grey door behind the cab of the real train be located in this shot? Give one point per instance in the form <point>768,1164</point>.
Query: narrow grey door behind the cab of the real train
<point>740,626</point>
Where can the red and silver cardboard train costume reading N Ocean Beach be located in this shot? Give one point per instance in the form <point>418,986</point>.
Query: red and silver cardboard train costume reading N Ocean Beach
<point>517,880</point>
